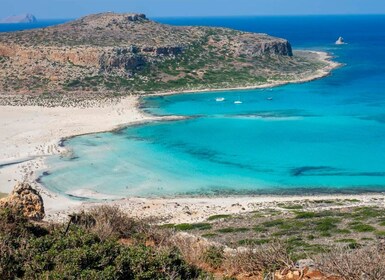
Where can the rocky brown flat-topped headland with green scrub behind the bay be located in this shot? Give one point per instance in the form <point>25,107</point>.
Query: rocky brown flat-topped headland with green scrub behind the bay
<point>127,53</point>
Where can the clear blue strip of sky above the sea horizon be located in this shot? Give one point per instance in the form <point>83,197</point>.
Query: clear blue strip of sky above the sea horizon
<point>63,9</point>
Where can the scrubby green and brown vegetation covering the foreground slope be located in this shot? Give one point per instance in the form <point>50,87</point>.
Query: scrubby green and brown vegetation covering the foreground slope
<point>105,243</point>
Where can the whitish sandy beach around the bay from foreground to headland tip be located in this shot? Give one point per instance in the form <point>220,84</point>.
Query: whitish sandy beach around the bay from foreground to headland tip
<point>29,134</point>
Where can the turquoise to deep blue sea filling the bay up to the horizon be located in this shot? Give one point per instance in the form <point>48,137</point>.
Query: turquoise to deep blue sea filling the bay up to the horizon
<point>323,136</point>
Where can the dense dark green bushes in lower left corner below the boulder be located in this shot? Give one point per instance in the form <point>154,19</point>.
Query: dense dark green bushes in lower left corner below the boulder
<point>31,251</point>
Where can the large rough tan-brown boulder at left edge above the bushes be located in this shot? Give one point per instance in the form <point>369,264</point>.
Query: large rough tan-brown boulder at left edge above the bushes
<point>27,200</point>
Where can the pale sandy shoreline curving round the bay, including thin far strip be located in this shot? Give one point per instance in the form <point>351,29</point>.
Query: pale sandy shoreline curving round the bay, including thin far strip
<point>35,133</point>
